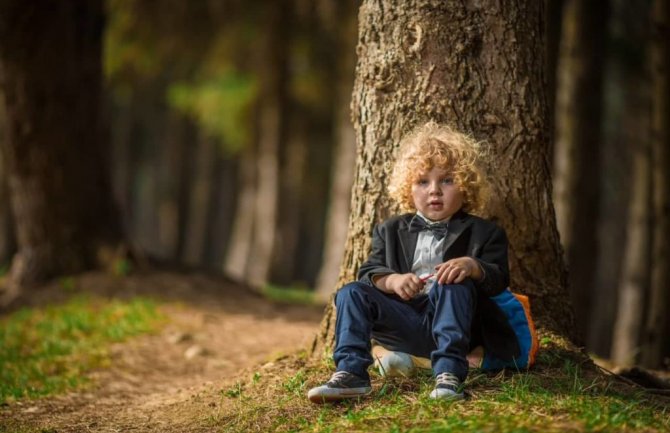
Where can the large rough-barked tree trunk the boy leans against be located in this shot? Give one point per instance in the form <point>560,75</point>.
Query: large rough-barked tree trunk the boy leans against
<point>478,66</point>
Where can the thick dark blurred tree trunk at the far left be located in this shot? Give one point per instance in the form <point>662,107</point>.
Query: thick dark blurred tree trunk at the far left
<point>50,67</point>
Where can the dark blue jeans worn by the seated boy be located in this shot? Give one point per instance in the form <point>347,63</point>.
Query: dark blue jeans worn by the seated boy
<point>435,326</point>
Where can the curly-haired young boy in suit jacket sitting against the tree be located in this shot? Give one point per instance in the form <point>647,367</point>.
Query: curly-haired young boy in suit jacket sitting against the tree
<point>426,286</point>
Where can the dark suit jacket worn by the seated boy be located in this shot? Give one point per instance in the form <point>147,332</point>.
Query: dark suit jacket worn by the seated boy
<point>393,252</point>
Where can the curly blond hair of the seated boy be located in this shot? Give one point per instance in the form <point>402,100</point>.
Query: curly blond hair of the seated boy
<point>432,145</point>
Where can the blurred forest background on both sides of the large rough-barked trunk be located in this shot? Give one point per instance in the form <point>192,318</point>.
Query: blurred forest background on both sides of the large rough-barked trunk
<point>231,148</point>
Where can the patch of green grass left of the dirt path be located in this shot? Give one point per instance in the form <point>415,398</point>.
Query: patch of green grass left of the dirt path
<point>49,350</point>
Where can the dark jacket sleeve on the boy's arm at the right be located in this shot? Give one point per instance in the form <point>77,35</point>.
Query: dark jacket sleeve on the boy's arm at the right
<point>492,256</point>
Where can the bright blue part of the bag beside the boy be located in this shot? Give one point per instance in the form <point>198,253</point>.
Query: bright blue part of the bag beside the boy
<point>516,316</point>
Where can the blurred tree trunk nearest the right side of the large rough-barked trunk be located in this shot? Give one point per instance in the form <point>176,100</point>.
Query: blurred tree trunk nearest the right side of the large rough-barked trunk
<point>577,148</point>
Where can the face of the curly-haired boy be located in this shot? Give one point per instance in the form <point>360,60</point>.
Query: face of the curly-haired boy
<point>435,195</point>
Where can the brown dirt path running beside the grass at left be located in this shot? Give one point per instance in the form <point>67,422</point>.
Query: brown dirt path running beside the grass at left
<point>216,329</point>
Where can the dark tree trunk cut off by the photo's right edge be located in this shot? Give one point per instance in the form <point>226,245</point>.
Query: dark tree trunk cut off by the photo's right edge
<point>655,331</point>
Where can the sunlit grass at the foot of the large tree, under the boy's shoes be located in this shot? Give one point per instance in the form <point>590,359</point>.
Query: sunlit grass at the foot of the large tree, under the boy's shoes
<point>559,395</point>
